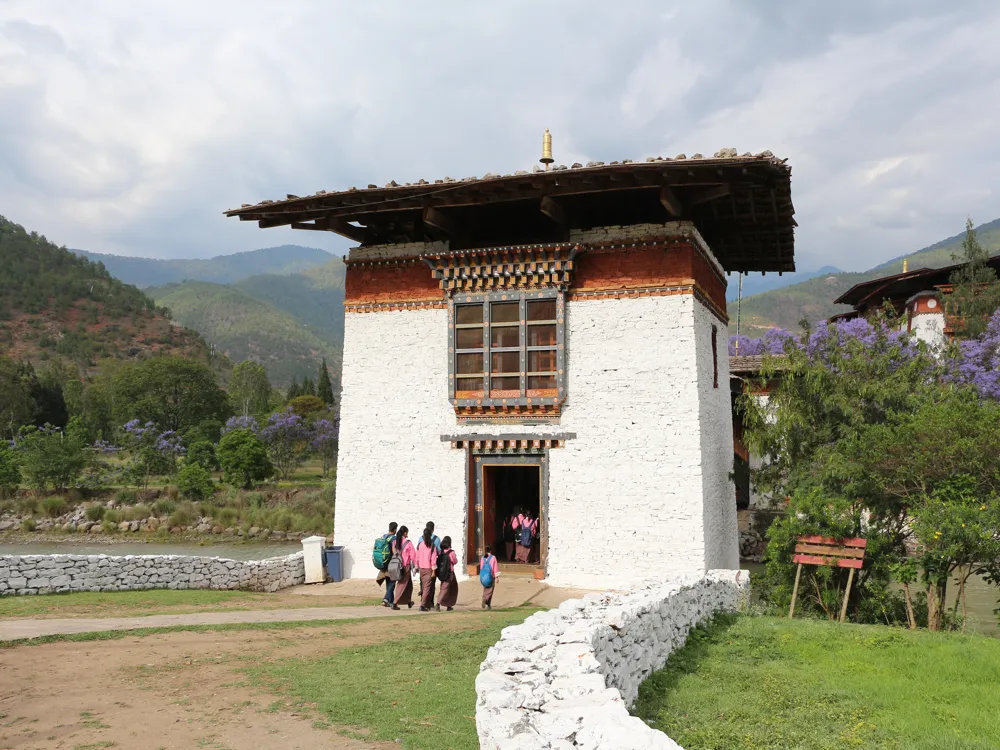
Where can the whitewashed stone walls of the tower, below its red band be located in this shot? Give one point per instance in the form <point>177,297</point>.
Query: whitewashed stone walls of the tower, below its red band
<point>637,489</point>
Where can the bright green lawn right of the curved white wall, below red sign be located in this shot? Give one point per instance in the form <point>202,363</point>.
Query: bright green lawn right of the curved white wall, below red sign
<point>757,683</point>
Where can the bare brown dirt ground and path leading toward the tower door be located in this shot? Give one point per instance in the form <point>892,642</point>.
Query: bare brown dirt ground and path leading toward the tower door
<point>179,690</point>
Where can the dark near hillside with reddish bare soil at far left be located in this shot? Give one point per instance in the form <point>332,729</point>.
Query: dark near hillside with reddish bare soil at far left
<point>55,305</point>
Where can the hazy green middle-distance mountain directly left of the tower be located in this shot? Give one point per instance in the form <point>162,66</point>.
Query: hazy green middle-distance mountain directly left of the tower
<point>251,320</point>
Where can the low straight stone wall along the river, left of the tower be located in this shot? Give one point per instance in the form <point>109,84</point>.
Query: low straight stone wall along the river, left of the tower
<point>55,574</point>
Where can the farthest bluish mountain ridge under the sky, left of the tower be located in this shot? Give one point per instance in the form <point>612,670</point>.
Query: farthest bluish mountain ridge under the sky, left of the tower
<point>223,269</point>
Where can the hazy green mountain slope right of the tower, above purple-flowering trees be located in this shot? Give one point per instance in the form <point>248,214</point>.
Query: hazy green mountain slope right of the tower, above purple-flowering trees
<point>812,299</point>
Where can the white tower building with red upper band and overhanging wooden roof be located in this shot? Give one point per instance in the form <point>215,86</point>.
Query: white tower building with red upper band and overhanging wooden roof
<point>555,340</point>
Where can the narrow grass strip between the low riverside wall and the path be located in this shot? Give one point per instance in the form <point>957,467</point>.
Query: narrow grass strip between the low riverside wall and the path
<point>161,601</point>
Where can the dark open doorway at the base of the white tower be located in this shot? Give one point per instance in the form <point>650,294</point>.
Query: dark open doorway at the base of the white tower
<point>508,489</point>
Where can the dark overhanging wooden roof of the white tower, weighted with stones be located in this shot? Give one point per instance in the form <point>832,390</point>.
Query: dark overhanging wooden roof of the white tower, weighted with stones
<point>741,205</point>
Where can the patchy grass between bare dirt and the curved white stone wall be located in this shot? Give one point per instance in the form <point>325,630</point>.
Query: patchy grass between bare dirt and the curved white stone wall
<point>418,689</point>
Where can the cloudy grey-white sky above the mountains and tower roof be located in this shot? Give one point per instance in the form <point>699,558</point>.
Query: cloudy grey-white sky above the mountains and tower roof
<point>128,127</point>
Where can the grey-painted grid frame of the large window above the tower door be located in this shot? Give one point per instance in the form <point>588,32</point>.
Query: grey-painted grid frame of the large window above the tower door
<point>487,300</point>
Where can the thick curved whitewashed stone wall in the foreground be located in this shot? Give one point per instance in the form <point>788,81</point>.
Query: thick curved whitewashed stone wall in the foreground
<point>565,678</point>
